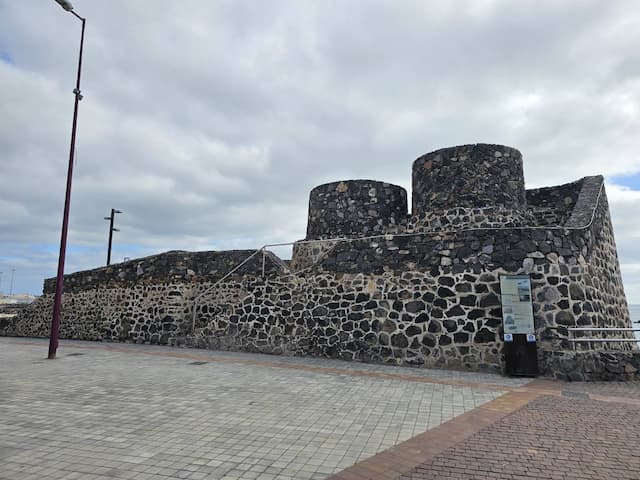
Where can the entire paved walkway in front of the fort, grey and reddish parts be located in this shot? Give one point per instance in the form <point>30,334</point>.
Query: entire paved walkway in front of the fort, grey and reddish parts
<point>115,411</point>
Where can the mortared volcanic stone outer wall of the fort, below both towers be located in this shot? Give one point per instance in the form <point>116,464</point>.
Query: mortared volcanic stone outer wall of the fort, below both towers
<point>374,300</point>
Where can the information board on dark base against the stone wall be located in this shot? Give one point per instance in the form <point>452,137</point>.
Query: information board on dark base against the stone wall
<point>520,348</point>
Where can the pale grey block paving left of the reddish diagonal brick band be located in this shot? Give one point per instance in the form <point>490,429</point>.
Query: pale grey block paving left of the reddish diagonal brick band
<point>118,415</point>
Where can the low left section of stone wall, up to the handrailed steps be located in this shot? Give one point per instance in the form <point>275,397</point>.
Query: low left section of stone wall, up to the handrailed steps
<point>143,300</point>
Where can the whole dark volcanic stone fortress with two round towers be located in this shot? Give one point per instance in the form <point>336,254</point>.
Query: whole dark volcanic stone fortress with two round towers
<point>372,282</point>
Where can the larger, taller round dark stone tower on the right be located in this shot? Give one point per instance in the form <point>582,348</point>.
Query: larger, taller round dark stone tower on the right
<point>469,186</point>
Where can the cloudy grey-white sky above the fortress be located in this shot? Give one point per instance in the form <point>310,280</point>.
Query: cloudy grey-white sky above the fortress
<point>208,122</point>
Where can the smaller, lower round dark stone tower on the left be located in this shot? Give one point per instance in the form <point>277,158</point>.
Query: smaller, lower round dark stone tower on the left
<point>355,208</point>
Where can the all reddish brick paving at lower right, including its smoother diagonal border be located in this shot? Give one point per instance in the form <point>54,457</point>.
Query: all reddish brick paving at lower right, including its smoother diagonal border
<point>545,430</point>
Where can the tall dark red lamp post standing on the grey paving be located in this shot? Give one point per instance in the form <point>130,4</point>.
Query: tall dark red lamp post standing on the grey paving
<point>57,301</point>
